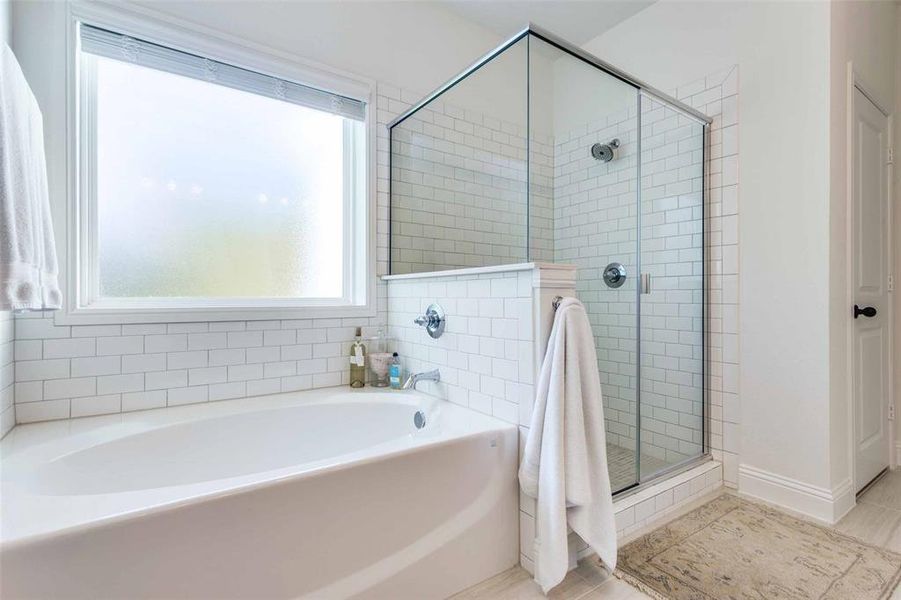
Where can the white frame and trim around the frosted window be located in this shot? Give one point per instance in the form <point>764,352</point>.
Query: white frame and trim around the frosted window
<point>80,259</point>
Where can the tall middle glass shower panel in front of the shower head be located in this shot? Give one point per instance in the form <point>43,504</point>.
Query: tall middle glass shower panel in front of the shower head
<point>583,210</point>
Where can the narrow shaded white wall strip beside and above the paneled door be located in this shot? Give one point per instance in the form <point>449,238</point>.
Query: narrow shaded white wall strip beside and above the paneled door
<point>863,33</point>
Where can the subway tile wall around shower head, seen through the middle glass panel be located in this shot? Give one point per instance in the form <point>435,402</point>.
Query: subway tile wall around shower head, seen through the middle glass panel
<point>595,223</point>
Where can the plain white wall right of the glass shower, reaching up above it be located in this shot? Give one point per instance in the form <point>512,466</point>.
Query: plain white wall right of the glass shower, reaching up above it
<point>783,160</point>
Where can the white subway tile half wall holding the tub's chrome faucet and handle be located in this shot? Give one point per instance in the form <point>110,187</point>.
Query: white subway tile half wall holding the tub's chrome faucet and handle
<point>486,353</point>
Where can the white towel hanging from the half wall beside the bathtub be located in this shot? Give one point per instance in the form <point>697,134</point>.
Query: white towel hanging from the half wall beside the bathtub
<point>564,464</point>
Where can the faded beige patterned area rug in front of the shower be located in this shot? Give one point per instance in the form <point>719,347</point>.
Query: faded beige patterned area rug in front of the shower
<point>731,549</point>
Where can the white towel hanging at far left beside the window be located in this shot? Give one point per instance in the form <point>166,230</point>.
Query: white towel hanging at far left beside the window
<point>28,269</point>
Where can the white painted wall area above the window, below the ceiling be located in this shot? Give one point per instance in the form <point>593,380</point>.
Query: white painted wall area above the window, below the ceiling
<point>416,45</point>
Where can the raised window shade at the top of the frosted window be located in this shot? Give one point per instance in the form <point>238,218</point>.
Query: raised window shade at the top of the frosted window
<point>122,47</point>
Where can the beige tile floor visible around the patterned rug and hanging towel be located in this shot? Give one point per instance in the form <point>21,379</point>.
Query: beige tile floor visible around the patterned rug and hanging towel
<point>876,519</point>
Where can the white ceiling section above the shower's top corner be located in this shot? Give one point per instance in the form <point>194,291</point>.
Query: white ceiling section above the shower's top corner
<point>577,21</point>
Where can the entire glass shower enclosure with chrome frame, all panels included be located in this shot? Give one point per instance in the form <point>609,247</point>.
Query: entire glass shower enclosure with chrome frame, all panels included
<point>542,152</point>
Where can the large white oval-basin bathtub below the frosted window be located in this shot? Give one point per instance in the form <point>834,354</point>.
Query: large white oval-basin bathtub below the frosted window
<point>321,494</point>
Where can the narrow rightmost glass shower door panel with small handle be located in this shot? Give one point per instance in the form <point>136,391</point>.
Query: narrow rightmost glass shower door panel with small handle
<point>671,380</point>
